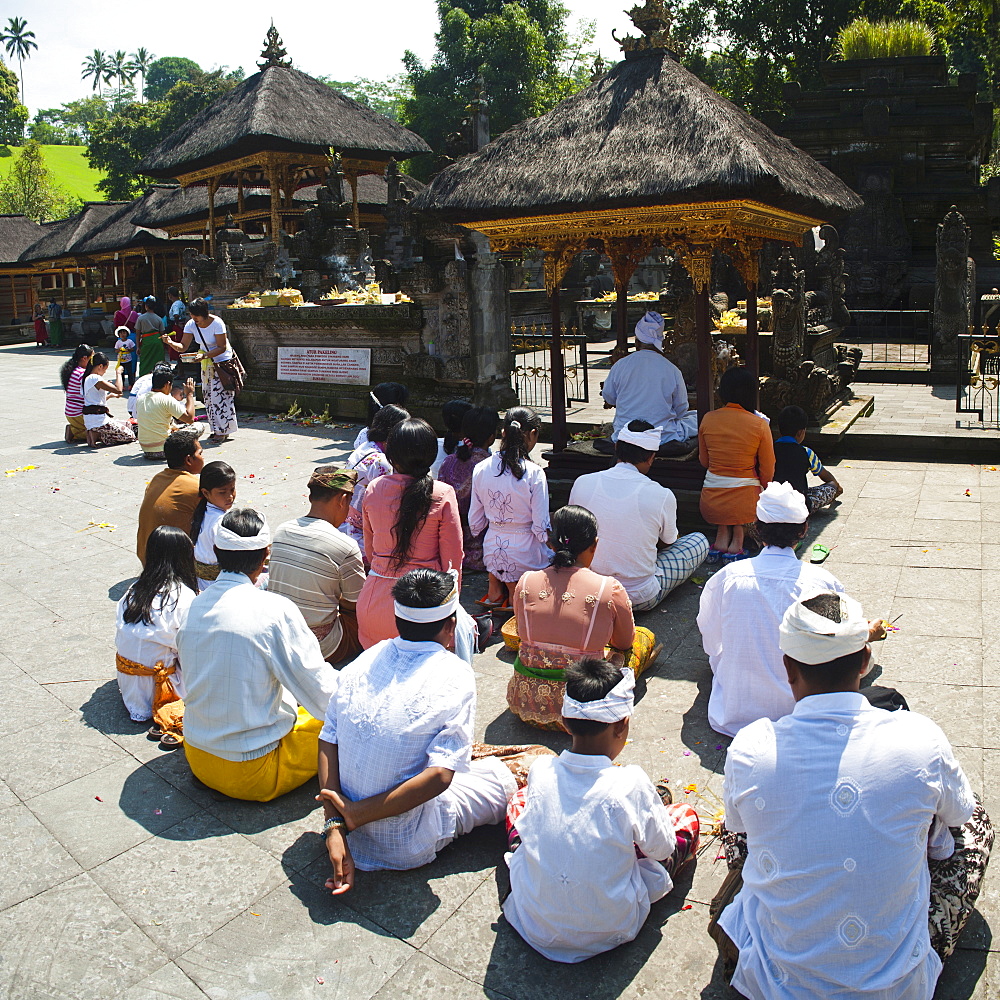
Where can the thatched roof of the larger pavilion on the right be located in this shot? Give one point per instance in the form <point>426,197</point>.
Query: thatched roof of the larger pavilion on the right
<point>647,133</point>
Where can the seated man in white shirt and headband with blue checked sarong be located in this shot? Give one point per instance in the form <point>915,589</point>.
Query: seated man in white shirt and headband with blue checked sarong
<point>637,539</point>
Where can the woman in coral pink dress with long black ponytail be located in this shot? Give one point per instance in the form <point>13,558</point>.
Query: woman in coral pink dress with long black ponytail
<point>409,521</point>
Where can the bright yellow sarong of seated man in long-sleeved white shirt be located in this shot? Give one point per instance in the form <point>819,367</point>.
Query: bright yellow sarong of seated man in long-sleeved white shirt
<point>290,764</point>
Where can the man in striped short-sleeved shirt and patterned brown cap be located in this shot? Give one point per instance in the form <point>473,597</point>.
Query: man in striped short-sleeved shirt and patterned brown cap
<point>319,567</point>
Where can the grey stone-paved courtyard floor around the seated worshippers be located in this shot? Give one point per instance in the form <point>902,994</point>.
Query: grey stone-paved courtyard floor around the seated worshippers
<point>123,880</point>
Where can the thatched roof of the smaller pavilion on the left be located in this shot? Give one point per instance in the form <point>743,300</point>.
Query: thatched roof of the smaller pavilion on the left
<point>279,109</point>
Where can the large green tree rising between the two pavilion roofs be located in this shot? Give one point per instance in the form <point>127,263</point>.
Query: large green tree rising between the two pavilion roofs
<point>521,52</point>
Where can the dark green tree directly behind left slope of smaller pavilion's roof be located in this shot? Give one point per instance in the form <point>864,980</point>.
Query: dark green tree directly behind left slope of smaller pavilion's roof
<point>119,142</point>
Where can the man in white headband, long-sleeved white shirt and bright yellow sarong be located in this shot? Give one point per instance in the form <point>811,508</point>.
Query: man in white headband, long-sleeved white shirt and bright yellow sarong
<point>252,661</point>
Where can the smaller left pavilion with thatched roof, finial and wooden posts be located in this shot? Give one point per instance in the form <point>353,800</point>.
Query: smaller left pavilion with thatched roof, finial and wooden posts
<point>275,131</point>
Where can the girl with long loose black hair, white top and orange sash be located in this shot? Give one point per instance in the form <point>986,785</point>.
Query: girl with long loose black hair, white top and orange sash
<point>149,616</point>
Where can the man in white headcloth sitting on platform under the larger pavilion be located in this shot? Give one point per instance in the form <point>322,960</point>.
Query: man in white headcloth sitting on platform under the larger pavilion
<point>646,385</point>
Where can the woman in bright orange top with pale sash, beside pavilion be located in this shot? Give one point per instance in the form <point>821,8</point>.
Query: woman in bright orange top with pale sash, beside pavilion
<point>734,444</point>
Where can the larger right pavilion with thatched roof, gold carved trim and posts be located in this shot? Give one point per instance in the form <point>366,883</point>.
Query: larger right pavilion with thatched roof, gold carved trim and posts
<point>646,157</point>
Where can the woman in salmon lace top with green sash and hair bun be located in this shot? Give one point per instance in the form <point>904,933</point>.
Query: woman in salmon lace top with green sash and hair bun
<point>566,612</point>
